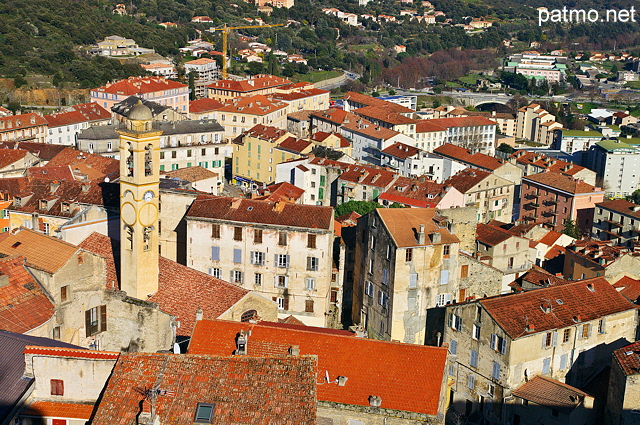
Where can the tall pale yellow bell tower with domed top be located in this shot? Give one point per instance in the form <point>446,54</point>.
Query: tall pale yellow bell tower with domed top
<point>139,189</point>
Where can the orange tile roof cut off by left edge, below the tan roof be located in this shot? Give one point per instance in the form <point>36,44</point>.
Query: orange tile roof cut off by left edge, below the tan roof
<point>24,304</point>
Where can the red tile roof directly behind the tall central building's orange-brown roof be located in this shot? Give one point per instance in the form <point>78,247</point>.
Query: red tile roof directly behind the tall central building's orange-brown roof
<point>411,191</point>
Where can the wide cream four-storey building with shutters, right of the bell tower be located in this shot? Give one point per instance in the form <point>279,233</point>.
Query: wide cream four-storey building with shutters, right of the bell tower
<point>280,250</point>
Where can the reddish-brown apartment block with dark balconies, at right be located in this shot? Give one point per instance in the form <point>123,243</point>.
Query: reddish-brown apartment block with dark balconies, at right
<point>552,198</point>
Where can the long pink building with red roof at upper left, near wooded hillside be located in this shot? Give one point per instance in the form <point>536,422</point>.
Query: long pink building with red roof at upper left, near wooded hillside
<point>157,89</point>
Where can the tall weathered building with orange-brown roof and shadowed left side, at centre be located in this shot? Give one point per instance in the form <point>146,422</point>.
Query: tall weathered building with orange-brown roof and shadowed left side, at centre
<point>405,258</point>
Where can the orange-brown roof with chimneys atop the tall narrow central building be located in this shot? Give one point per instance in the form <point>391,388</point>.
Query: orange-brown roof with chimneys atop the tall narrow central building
<point>403,225</point>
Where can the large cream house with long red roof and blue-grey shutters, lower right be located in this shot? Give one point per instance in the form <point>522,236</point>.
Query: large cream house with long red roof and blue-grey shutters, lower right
<point>563,332</point>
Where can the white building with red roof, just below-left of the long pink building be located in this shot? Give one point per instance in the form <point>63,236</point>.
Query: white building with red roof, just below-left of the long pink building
<point>64,126</point>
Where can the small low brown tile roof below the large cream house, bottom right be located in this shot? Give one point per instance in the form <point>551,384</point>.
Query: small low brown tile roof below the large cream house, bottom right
<point>551,393</point>
